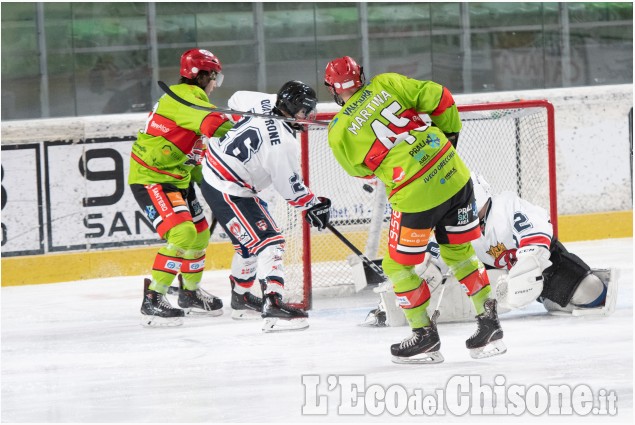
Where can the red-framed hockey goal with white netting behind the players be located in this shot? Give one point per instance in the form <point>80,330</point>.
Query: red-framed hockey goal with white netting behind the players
<point>511,143</point>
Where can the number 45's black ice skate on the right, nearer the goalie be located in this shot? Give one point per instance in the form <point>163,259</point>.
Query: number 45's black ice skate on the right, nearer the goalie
<point>487,341</point>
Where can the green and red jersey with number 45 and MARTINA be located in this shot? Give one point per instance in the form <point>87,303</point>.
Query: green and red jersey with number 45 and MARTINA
<point>379,132</point>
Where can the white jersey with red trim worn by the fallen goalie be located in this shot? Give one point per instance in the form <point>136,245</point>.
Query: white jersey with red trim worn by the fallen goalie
<point>511,223</point>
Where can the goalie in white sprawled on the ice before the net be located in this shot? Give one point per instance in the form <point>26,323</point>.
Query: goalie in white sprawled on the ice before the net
<point>525,263</point>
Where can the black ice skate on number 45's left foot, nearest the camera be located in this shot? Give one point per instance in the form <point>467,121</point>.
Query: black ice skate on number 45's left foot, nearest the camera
<point>422,347</point>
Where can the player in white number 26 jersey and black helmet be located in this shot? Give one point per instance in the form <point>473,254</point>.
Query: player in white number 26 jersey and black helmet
<point>255,154</point>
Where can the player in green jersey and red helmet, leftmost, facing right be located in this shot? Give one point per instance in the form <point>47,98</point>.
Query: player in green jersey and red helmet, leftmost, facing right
<point>165,163</point>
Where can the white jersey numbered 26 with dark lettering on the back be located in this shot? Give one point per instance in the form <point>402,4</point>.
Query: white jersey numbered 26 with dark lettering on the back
<point>257,153</point>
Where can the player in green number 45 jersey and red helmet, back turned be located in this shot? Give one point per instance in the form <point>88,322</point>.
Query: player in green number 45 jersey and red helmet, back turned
<point>379,132</point>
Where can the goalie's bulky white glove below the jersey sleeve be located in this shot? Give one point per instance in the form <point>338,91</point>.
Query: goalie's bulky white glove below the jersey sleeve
<point>525,281</point>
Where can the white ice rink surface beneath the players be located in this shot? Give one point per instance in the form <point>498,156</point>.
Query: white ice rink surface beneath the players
<point>75,352</point>
